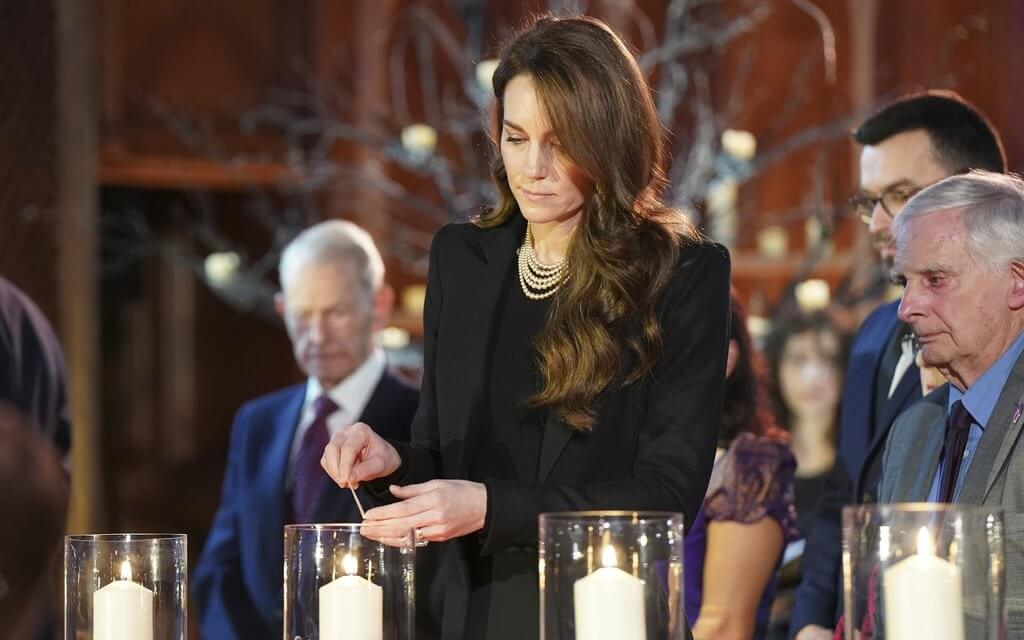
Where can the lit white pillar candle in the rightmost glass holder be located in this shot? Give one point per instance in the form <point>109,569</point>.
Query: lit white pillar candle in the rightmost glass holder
<point>923,596</point>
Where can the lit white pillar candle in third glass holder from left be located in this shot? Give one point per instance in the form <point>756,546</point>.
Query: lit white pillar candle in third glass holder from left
<point>609,604</point>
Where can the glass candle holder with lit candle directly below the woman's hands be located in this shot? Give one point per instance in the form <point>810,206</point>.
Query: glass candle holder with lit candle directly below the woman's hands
<point>342,585</point>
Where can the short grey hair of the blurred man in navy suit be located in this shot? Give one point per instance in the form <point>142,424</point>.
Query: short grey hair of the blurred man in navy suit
<point>334,242</point>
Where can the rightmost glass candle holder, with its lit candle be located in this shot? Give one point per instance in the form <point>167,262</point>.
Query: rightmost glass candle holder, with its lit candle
<point>923,571</point>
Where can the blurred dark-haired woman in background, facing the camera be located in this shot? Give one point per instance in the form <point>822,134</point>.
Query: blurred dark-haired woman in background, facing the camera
<point>806,356</point>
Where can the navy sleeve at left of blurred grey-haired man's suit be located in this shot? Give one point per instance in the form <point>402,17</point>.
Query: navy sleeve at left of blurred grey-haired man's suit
<point>226,611</point>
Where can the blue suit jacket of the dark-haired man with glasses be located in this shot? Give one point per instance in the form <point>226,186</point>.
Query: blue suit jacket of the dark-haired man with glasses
<point>863,432</point>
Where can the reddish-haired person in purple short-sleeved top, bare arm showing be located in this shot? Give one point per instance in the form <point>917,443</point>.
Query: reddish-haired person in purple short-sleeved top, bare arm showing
<point>737,542</point>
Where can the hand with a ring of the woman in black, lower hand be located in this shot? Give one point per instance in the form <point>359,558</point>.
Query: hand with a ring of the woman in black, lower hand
<point>437,511</point>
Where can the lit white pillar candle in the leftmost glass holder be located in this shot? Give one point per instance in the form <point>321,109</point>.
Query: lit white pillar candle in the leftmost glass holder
<point>122,610</point>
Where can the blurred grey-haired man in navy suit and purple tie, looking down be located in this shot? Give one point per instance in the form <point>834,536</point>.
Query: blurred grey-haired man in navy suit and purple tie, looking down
<point>333,300</point>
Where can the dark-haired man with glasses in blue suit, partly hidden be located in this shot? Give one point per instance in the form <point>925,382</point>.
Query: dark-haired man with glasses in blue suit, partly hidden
<point>908,146</point>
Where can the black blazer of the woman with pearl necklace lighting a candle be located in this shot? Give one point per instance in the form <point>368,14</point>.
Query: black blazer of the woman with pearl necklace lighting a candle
<point>653,443</point>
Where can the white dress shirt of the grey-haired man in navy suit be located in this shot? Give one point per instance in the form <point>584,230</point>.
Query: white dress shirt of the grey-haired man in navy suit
<point>352,396</point>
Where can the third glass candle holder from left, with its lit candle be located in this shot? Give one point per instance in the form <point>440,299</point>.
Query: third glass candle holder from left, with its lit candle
<point>612,576</point>
